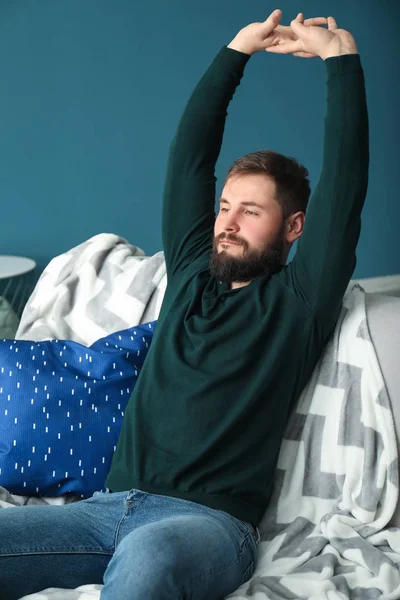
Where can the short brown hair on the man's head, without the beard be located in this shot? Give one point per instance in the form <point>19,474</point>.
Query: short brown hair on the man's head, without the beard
<point>291,178</point>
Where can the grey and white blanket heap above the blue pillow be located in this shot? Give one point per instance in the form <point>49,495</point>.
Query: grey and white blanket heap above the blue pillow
<point>99,287</point>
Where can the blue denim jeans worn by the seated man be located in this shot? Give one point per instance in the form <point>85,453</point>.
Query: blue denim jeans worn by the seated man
<point>142,546</point>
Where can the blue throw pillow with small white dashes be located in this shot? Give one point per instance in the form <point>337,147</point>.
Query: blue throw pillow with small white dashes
<point>61,410</point>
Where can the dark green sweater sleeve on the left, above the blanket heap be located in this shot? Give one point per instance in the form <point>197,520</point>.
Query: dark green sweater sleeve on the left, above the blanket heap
<point>189,193</point>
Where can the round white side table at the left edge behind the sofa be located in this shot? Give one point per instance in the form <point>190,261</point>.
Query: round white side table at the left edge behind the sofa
<point>13,291</point>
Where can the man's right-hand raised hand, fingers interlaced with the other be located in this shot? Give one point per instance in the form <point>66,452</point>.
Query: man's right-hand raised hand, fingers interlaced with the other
<point>312,40</point>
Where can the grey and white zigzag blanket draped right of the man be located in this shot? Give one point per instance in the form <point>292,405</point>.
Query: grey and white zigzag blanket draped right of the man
<point>336,487</point>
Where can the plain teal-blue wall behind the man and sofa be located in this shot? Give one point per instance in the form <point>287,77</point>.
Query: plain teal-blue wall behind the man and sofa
<point>91,92</point>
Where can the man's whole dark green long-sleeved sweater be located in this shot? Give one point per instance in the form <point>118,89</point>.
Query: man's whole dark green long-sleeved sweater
<point>207,415</point>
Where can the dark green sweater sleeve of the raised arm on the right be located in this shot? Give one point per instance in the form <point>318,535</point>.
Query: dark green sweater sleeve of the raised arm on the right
<point>326,254</point>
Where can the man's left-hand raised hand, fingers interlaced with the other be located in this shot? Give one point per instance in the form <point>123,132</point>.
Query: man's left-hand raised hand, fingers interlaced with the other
<point>261,36</point>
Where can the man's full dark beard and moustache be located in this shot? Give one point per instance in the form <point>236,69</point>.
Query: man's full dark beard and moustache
<point>253,263</point>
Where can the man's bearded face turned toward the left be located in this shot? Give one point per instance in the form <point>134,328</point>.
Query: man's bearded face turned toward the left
<point>248,232</point>
